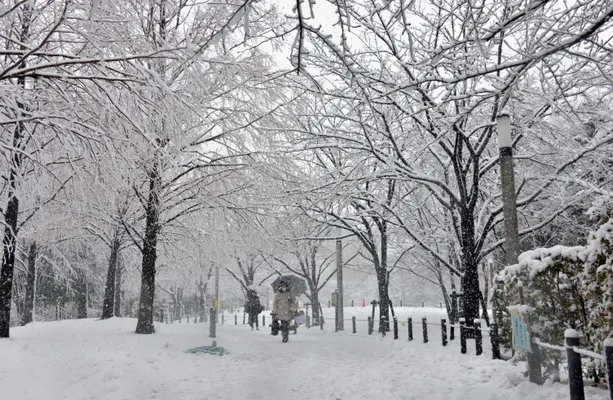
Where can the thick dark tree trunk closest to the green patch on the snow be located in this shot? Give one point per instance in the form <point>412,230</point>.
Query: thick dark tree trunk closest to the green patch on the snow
<point>147,292</point>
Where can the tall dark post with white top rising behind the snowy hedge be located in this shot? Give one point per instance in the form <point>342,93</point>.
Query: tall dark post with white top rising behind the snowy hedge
<point>507,178</point>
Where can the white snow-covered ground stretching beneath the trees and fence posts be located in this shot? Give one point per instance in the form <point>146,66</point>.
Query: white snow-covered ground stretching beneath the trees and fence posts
<point>90,359</point>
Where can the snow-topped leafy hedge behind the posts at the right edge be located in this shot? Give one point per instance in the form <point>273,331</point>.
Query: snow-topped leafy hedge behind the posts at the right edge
<point>566,287</point>
